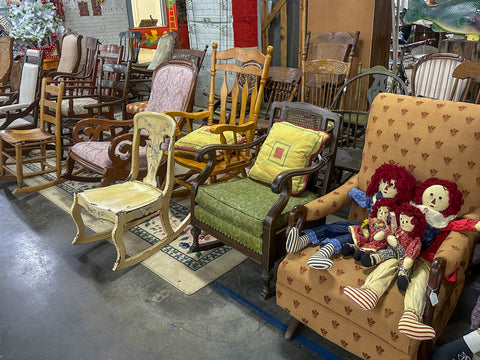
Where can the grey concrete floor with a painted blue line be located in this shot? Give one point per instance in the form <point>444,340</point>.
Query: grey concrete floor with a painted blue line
<point>60,301</point>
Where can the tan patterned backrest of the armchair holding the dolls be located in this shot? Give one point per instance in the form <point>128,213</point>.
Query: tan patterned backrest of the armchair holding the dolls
<point>431,138</point>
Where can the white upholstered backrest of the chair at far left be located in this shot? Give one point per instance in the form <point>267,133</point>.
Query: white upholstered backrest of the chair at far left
<point>30,76</point>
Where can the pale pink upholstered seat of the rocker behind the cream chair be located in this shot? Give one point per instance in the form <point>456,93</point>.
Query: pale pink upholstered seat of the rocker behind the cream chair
<point>96,152</point>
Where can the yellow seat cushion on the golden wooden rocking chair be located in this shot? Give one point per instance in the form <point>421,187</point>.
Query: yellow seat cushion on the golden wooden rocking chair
<point>190,143</point>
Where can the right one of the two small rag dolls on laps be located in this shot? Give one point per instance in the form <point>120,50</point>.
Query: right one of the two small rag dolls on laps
<point>404,243</point>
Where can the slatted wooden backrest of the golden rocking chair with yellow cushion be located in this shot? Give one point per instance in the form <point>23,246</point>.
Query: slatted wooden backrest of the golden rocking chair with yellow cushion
<point>243,74</point>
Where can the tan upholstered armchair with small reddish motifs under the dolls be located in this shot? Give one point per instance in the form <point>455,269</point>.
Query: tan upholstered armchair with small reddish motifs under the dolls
<point>431,138</point>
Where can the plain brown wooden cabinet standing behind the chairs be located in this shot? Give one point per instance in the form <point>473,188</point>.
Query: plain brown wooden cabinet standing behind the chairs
<point>373,18</point>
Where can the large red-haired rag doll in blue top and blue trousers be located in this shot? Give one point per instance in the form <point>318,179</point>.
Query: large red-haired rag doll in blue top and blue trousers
<point>388,181</point>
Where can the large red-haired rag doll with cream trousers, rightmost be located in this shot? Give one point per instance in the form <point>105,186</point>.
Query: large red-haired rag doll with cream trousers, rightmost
<point>440,201</point>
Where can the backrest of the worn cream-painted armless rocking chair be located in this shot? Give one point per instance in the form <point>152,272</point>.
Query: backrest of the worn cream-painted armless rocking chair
<point>161,131</point>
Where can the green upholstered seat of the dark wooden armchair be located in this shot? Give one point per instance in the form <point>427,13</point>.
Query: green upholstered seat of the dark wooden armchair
<point>219,203</point>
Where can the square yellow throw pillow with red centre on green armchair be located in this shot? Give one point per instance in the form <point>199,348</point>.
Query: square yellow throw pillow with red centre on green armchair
<point>287,146</point>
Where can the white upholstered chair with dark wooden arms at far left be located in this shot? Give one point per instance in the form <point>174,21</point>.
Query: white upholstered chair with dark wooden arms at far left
<point>20,109</point>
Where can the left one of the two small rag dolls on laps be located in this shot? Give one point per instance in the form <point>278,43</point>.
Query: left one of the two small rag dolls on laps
<point>371,236</point>
